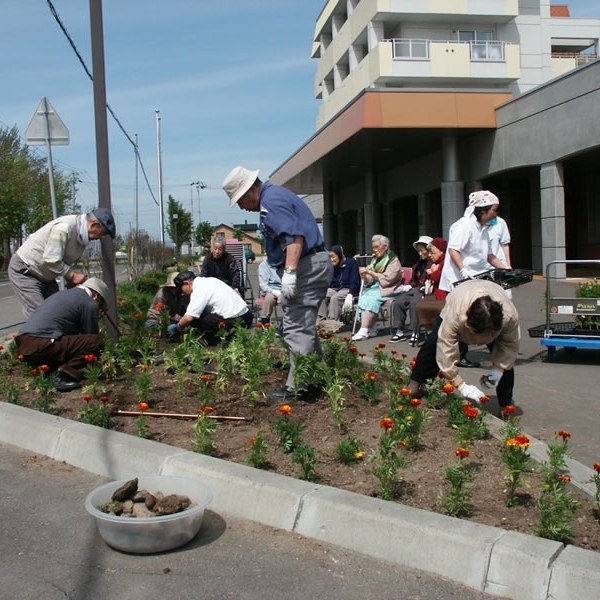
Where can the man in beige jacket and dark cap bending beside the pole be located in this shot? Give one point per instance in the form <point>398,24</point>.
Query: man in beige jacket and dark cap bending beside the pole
<point>51,251</point>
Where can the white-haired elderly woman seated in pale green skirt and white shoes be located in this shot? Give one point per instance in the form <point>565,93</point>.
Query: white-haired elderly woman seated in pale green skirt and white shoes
<point>380,279</point>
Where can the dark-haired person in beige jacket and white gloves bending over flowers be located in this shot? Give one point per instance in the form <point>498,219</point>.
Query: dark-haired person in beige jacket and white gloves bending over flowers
<point>479,312</point>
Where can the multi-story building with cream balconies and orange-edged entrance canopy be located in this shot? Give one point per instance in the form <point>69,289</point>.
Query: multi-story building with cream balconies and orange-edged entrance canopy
<point>424,101</point>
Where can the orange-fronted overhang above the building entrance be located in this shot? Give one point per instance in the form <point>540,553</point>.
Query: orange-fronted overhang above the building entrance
<point>381,129</point>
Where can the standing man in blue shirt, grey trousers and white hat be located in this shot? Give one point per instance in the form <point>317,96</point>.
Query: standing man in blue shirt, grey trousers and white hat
<point>295,247</point>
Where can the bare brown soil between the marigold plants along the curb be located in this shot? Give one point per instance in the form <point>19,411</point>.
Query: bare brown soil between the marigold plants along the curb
<point>423,480</point>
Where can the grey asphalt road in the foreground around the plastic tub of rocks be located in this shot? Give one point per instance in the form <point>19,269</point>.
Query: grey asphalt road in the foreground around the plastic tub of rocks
<point>51,550</point>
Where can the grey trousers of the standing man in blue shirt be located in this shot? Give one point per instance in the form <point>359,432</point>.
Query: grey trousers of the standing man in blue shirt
<point>300,313</point>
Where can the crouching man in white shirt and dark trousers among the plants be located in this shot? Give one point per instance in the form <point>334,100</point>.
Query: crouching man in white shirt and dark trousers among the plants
<point>213,306</point>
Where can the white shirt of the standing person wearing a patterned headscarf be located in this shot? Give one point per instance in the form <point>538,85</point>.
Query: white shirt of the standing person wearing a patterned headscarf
<point>472,240</point>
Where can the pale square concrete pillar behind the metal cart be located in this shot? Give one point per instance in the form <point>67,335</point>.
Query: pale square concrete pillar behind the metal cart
<point>552,203</point>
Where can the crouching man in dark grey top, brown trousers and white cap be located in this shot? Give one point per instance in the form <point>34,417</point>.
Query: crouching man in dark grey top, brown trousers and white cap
<point>63,331</point>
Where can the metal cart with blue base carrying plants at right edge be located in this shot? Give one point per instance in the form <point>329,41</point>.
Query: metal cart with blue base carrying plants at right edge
<point>560,332</point>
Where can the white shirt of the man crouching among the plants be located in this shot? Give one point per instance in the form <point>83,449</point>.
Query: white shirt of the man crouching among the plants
<point>216,296</point>
